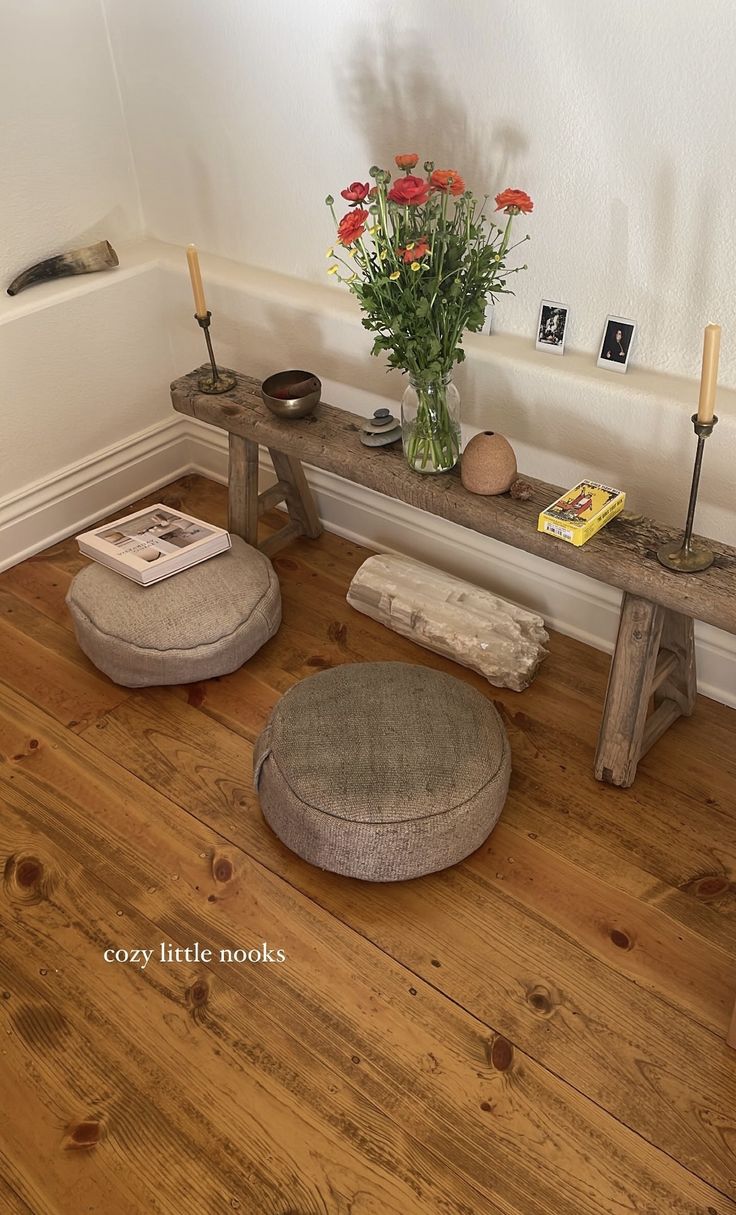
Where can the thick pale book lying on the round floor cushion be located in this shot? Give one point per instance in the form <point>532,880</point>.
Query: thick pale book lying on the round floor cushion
<point>154,544</point>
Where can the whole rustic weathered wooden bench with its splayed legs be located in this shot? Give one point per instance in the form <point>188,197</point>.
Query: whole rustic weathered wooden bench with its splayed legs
<point>654,662</point>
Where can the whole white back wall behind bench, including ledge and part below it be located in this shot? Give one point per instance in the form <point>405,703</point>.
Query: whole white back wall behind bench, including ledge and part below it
<point>616,120</point>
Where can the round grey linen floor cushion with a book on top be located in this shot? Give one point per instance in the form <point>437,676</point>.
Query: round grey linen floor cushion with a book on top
<point>203,623</point>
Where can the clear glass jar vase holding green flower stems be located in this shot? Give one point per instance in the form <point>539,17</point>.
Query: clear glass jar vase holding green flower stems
<point>431,423</point>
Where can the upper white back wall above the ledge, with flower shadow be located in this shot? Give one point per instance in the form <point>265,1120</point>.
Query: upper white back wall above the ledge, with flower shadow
<point>616,117</point>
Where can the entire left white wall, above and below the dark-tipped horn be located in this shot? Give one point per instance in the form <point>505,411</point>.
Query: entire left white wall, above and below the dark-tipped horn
<point>84,361</point>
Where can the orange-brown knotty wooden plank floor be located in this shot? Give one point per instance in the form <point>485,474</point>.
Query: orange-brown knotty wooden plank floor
<point>536,1032</point>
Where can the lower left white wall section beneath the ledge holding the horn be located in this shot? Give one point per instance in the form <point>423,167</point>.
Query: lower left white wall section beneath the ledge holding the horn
<point>81,375</point>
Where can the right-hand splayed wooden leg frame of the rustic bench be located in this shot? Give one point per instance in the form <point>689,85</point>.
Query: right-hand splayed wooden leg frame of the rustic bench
<point>654,657</point>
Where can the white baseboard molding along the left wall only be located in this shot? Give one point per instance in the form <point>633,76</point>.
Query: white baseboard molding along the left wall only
<point>49,511</point>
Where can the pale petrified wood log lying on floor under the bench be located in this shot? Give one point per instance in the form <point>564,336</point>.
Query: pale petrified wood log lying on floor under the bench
<point>503,642</point>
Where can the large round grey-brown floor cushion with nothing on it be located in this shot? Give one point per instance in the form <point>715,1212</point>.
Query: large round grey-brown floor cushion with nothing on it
<point>383,771</point>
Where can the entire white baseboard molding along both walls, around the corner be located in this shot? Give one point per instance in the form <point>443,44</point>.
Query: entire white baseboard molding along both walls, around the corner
<point>76,498</point>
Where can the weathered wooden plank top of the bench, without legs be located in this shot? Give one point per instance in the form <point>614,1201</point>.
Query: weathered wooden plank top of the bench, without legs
<point>624,555</point>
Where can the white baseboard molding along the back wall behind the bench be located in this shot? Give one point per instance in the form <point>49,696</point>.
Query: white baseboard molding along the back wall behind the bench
<point>570,603</point>
